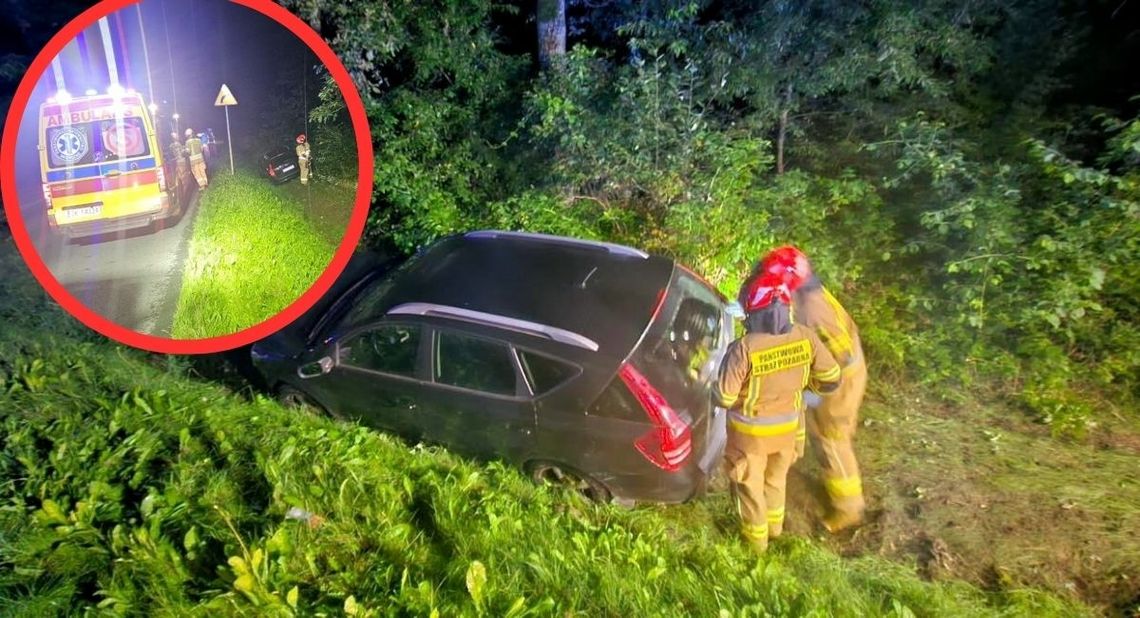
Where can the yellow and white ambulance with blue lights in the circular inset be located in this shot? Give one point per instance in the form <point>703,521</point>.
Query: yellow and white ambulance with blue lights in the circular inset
<point>101,164</point>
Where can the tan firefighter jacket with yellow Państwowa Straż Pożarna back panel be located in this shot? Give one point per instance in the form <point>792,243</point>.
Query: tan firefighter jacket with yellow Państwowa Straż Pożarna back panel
<point>763,378</point>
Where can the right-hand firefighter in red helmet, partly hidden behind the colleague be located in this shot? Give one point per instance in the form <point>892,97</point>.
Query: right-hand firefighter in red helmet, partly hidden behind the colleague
<point>832,420</point>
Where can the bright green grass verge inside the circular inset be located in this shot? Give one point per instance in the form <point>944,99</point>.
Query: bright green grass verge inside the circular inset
<point>251,255</point>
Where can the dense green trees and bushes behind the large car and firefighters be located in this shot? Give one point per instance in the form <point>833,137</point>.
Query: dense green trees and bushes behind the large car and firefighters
<point>979,217</point>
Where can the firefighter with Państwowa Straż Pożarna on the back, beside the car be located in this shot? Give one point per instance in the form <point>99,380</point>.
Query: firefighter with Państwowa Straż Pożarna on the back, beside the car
<point>762,383</point>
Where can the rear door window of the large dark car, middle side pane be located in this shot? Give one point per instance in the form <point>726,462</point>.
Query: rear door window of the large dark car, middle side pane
<point>473,363</point>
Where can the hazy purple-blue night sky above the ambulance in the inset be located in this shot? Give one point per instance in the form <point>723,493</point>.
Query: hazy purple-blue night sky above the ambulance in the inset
<point>192,50</point>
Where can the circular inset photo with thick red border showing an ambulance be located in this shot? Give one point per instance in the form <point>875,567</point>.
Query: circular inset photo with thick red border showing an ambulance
<point>186,177</point>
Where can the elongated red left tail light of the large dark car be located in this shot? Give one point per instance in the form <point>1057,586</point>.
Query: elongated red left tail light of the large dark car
<point>670,443</point>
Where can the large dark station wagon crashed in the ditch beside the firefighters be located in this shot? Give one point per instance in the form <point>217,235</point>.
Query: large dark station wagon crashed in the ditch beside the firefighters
<point>583,363</point>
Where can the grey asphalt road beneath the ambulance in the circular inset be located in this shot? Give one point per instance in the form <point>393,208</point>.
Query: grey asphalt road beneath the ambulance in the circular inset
<point>132,279</point>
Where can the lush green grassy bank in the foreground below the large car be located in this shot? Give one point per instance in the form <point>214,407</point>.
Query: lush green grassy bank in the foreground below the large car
<point>127,485</point>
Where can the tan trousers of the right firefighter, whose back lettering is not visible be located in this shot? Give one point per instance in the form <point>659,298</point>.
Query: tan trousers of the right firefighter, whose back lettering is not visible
<point>832,427</point>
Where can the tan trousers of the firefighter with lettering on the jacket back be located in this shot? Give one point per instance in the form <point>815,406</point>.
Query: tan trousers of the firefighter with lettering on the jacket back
<point>758,471</point>
